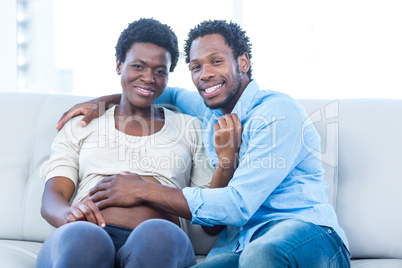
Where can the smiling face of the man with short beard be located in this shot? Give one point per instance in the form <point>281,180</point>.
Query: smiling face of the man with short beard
<point>218,76</point>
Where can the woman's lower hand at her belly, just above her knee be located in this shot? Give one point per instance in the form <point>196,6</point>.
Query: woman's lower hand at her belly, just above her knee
<point>85,210</point>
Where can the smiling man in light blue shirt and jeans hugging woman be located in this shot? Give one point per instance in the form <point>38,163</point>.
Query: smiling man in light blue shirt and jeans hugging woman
<point>275,207</point>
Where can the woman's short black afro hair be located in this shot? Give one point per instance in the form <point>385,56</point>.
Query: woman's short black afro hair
<point>148,31</point>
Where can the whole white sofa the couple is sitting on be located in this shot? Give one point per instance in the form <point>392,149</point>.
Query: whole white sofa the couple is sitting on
<point>362,143</point>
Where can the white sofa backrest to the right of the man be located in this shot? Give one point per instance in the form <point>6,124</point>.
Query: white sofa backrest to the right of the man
<point>367,180</point>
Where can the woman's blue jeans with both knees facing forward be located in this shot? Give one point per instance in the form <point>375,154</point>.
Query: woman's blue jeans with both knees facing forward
<point>153,243</point>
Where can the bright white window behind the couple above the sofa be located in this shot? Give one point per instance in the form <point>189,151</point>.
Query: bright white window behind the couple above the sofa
<point>308,49</point>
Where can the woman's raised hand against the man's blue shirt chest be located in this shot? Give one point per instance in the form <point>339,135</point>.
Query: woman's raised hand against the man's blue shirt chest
<point>227,140</point>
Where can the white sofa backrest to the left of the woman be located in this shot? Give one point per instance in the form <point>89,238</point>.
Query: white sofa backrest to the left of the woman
<point>29,127</point>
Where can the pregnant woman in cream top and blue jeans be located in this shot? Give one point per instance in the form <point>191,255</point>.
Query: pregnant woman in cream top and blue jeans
<point>159,145</point>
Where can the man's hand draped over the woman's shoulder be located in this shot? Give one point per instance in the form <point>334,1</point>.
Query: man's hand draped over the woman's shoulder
<point>91,109</point>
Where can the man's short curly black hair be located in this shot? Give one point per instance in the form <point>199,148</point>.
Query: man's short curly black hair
<point>234,37</point>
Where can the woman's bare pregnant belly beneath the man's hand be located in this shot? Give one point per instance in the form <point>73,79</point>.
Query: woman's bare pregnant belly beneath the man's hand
<point>132,216</point>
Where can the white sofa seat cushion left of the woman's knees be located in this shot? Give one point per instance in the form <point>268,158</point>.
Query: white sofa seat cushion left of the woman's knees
<point>18,253</point>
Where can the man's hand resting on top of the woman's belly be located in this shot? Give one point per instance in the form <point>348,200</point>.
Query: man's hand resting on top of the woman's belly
<point>122,190</point>
